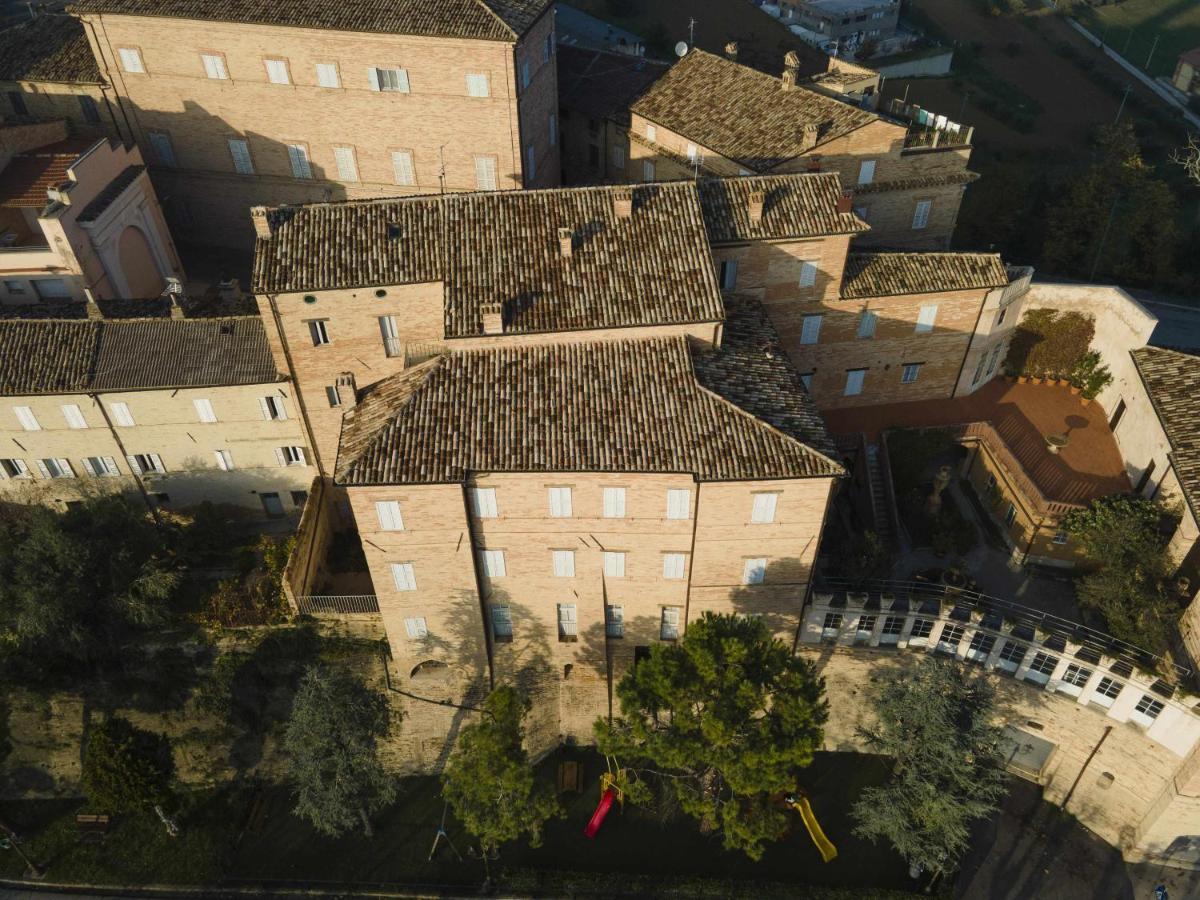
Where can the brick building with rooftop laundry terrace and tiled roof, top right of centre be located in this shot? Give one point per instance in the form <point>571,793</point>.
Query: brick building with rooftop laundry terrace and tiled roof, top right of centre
<point>711,116</point>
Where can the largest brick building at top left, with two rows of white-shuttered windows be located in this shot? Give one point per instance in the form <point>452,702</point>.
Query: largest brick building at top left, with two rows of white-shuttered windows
<point>243,104</point>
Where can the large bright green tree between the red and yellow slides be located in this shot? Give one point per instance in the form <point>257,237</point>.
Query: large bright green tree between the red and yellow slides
<point>727,717</point>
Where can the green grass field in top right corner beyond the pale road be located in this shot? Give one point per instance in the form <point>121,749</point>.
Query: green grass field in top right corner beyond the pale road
<point>1132,26</point>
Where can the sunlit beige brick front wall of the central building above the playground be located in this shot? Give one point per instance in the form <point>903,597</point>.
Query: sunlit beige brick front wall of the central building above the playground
<point>569,680</point>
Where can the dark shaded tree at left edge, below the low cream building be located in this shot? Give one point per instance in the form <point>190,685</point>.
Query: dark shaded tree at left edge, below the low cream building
<point>75,585</point>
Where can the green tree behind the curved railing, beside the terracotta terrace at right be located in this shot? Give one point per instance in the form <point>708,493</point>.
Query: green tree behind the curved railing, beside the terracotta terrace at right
<point>1124,539</point>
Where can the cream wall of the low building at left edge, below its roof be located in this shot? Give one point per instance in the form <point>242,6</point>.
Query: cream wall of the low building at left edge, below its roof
<point>167,424</point>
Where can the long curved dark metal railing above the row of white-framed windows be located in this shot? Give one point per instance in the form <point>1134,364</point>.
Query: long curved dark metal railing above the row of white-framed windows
<point>1089,639</point>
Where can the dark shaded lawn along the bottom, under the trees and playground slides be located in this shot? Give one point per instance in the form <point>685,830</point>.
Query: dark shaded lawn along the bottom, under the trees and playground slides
<point>634,853</point>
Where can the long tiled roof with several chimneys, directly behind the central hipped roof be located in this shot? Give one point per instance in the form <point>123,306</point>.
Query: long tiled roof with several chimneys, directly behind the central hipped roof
<point>652,268</point>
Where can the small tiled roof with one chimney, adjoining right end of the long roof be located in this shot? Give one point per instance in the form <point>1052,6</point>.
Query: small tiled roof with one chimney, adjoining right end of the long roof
<point>794,207</point>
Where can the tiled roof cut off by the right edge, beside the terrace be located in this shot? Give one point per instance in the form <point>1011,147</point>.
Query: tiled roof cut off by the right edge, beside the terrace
<point>1173,382</point>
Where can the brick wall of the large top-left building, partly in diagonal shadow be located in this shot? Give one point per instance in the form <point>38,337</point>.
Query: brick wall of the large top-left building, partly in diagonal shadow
<point>437,122</point>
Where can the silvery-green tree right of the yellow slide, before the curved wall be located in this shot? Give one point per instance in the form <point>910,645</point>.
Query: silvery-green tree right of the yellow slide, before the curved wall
<point>935,722</point>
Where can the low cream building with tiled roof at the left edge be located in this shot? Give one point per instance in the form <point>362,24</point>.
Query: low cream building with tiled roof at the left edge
<point>175,411</point>
